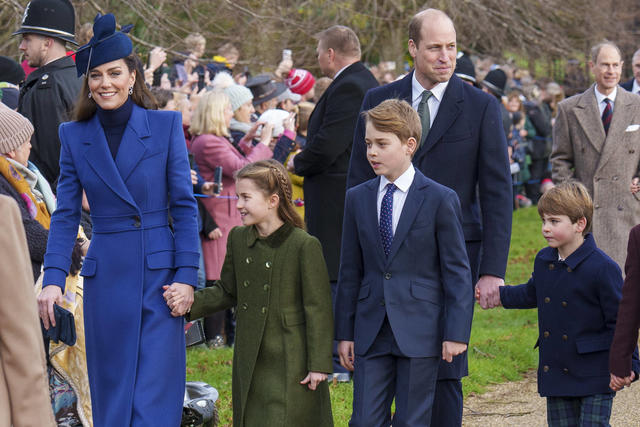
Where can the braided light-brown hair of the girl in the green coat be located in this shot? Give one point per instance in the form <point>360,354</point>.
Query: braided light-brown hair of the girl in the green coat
<point>272,178</point>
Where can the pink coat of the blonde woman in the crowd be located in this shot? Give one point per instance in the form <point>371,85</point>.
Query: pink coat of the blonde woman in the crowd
<point>211,151</point>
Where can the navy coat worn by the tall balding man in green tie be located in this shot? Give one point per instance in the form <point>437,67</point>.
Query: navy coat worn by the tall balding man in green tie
<point>465,150</point>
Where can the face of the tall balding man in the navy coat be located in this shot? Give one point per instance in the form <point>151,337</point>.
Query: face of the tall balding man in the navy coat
<point>435,54</point>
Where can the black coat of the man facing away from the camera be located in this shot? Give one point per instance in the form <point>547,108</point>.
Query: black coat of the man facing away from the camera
<point>325,159</point>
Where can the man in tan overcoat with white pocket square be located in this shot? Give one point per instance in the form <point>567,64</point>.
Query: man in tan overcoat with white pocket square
<point>596,140</point>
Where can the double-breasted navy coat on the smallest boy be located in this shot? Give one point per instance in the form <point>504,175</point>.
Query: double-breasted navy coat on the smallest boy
<point>577,301</point>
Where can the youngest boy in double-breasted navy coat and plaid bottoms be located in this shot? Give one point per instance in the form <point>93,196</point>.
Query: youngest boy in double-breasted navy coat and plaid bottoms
<point>576,288</point>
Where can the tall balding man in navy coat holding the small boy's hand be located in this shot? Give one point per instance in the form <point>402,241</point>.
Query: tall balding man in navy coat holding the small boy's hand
<point>464,148</point>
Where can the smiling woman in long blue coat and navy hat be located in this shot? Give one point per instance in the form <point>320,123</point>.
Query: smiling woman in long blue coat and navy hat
<point>132,163</point>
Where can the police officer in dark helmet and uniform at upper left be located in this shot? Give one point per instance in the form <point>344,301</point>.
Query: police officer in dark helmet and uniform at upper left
<point>48,94</point>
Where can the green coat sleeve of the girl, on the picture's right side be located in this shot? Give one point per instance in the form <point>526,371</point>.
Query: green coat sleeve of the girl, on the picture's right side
<point>316,299</point>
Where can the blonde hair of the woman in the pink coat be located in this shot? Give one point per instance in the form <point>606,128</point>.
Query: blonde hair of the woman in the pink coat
<point>209,114</point>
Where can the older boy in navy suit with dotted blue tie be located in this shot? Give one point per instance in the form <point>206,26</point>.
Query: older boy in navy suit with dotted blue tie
<point>404,289</point>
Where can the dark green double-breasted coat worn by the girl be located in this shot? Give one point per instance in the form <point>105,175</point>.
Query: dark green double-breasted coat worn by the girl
<point>280,287</point>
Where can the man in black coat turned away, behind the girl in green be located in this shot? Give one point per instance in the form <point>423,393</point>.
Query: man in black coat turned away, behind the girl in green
<point>324,161</point>
